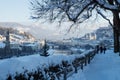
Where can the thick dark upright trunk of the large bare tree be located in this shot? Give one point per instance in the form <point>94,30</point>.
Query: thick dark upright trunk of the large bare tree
<point>116,24</point>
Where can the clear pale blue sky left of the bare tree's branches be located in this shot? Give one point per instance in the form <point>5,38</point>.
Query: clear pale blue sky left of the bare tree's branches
<point>14,11</point>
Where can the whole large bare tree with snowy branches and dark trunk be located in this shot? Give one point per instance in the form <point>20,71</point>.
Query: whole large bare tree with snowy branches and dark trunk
<point>78,11</point>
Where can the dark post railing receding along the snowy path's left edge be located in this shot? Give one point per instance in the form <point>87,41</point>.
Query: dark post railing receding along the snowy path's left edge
<point>78,63</point>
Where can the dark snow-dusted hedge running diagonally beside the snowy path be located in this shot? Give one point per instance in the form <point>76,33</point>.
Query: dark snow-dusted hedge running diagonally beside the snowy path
<point>54,71</point>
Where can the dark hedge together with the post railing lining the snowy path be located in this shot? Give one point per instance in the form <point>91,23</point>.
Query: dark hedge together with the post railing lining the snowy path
<point>60,71</point>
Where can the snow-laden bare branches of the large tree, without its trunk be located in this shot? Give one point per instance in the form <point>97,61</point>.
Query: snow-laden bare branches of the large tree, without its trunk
<point>74,10</point>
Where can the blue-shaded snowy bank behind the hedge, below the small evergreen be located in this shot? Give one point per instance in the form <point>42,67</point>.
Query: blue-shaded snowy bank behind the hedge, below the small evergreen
<point>31,63</point>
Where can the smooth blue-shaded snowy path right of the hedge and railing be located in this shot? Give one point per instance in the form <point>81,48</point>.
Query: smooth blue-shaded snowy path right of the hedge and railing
<point>103,67</point>
